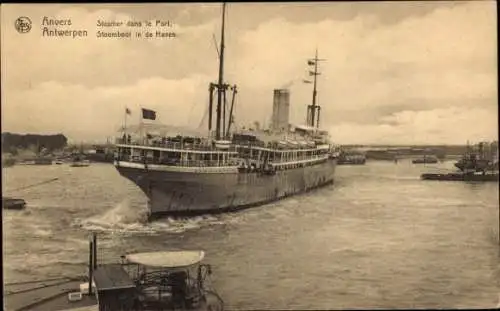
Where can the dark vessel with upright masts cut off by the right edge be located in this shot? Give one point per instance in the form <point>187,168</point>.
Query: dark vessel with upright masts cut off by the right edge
<point>474,166</point>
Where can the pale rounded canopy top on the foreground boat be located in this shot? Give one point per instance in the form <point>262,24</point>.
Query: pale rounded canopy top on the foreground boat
<point>167,259</point>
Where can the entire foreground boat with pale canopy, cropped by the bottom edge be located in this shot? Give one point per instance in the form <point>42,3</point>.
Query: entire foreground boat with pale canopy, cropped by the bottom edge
<point>164,280</point>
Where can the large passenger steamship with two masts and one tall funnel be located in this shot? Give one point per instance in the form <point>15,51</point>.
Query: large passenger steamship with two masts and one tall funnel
<point>228,170</point>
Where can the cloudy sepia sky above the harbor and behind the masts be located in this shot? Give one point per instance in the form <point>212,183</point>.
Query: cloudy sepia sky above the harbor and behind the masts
<point>395,72</point>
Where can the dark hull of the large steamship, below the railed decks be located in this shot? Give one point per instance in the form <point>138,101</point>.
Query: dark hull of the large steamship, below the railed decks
<point>189,194</point>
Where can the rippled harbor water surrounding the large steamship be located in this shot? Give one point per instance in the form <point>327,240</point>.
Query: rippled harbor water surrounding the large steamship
<point>379,238</point>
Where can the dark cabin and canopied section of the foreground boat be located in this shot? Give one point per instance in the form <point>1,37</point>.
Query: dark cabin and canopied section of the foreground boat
<point>153,281</point>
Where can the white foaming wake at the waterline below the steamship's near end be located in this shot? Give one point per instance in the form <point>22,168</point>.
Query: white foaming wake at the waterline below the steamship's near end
<point>127,219</point>
